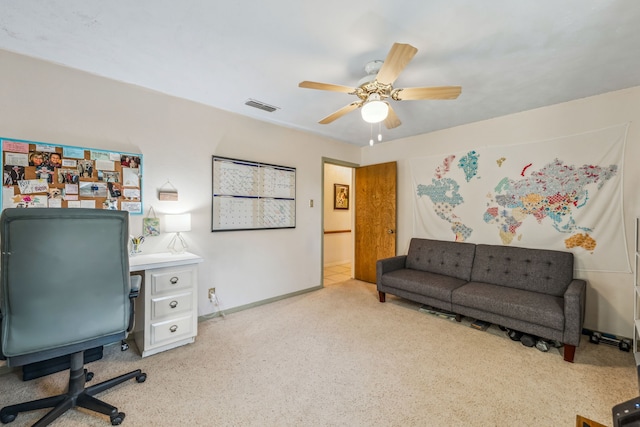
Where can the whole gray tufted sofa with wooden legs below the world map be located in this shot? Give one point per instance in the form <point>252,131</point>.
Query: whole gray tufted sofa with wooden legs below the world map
<point>528,290</point>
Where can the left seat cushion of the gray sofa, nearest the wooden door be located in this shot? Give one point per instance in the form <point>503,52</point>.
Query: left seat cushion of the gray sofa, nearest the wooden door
<point>424,283</point>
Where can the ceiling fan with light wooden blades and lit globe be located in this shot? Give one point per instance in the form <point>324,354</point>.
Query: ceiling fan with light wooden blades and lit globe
<point>375,88</point>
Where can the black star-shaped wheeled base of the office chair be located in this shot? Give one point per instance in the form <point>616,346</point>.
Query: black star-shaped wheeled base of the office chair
<point>76,396</point>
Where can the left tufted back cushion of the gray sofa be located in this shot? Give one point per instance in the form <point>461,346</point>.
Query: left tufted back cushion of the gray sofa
<point>436,256</point>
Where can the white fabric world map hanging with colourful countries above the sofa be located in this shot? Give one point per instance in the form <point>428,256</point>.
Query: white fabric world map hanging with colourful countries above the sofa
<point>562,194</point>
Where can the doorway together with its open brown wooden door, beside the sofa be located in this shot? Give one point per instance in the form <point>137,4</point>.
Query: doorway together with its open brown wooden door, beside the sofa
<point>361,232</point>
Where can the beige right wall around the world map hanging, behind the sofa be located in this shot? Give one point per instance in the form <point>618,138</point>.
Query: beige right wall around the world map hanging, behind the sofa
<point>609,298</point>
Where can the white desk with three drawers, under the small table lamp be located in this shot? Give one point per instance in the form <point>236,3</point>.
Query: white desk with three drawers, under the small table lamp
<point>167,307</point>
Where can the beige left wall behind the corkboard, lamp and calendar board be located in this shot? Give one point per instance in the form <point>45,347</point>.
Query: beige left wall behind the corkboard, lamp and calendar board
<point>43,102</point>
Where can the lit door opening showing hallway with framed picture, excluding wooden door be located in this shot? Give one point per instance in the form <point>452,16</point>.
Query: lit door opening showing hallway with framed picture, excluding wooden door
<point>338,222</point>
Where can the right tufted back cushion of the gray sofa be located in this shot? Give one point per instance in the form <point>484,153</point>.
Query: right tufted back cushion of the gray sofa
<point>539,270</point>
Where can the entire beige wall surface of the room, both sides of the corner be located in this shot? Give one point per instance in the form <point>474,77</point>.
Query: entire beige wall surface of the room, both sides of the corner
<point>44,102</point>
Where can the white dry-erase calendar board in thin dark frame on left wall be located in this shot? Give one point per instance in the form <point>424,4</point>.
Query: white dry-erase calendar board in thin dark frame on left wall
<point>251,195</point>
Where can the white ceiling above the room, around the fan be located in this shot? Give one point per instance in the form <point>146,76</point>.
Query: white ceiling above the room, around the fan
<point>507,55</point>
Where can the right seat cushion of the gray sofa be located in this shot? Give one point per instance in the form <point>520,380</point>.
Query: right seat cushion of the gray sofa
<point>533,307</point>
